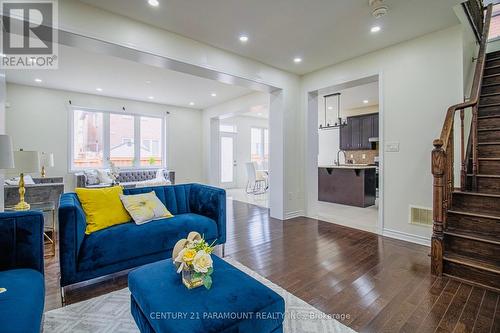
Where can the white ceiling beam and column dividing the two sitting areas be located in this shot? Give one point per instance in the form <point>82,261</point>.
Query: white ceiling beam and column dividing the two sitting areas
<point>286,197</point>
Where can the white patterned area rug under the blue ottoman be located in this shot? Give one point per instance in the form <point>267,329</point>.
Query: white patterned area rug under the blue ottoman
<point>110,313</point>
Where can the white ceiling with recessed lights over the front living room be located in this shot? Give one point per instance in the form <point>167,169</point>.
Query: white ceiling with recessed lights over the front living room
<point>322,32</point>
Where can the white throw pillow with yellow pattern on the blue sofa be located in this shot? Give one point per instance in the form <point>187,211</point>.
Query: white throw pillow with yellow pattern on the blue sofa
<point>145,207</point>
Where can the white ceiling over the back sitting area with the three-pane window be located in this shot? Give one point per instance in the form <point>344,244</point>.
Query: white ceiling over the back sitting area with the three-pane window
<point>85,72</point>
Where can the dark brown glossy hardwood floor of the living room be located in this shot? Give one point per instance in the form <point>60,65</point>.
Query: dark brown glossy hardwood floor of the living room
<point>373,283</point>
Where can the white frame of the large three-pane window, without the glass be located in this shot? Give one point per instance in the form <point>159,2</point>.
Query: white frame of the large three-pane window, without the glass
<point>106,137</point>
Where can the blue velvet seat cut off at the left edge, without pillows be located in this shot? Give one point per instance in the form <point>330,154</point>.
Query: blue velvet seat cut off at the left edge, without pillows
<point>21,272</point>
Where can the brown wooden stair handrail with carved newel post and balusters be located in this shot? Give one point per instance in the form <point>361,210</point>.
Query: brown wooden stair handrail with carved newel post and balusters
<point>443,152</point>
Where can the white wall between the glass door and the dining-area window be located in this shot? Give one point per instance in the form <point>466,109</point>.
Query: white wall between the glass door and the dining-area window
<point>243,143</point>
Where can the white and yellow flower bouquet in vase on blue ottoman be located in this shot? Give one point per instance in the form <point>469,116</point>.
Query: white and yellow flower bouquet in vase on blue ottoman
<point>192,257</point>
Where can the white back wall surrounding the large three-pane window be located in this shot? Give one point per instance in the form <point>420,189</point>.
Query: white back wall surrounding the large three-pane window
<point>37,119</point>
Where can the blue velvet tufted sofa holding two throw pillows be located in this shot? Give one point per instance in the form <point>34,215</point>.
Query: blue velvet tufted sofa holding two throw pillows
<point>118,248</point>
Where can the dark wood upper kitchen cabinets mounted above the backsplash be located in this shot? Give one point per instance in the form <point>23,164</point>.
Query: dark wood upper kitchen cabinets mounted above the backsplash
<point>359,129</point>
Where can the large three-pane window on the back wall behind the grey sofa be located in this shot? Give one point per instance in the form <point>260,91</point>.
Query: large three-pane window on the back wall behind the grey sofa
<point>126,140</point>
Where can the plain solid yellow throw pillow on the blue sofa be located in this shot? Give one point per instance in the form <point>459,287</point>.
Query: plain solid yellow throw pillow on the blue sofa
<point>102,207</point>
